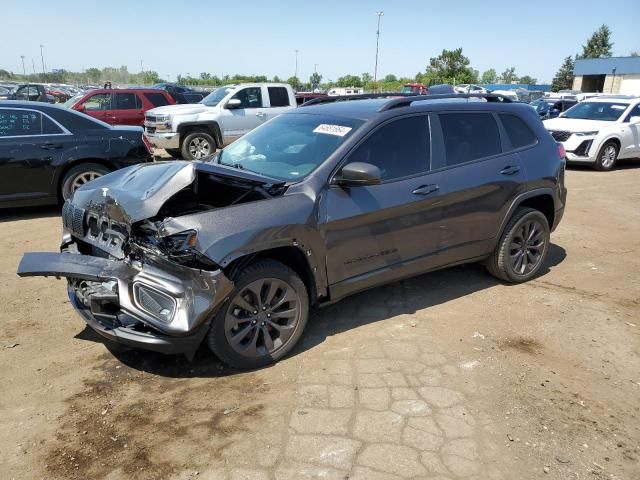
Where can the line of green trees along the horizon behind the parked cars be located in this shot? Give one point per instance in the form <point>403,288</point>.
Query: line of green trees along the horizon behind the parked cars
<point>451,66</point>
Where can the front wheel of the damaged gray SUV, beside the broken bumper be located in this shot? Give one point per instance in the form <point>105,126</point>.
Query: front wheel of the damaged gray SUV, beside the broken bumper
<point>263,318</point>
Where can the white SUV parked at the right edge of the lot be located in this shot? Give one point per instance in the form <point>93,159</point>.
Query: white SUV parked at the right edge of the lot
<point>599,131</point>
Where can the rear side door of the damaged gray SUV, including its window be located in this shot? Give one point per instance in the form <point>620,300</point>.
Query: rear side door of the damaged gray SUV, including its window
<point>482,175</point>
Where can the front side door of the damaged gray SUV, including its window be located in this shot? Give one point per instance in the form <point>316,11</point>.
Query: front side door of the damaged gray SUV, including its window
<point>385,227</point>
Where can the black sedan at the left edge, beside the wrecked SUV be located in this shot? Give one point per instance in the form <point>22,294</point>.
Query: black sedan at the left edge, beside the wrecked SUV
<point>46,152</point>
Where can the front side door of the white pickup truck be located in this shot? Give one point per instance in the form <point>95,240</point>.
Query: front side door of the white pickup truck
<point>245,117</point>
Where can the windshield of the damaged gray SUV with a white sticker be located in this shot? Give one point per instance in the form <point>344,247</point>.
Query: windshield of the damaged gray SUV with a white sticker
<point>289,147</point>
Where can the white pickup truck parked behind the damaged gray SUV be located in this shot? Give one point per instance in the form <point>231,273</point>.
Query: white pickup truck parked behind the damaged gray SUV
<point>195,131</point>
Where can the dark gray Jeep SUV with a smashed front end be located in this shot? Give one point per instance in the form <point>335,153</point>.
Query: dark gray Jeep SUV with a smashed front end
<point>316,204</point>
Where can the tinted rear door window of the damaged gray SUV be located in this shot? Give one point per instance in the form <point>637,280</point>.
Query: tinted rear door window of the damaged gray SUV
<point>469,136</point>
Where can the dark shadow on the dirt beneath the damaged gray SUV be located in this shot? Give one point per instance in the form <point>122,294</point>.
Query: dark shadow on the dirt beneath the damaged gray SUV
<point>381,303</point>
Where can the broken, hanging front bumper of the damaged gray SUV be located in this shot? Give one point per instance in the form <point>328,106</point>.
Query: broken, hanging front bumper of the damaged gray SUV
<point>155,304</point>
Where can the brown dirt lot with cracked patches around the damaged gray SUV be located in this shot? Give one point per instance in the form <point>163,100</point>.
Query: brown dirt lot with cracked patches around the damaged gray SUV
<point>448,375</point>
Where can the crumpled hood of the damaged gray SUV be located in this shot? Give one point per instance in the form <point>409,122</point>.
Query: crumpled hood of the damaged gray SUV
<point>137,192</point>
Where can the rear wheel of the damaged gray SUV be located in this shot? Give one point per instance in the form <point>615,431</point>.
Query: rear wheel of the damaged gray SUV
<point>523,247</point>
